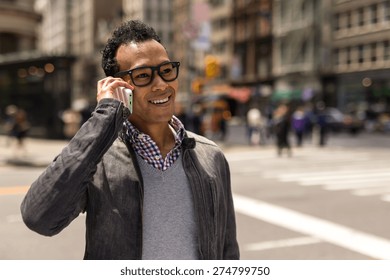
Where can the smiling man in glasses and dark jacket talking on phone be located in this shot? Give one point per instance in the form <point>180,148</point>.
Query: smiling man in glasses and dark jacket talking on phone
<point>151,189</point>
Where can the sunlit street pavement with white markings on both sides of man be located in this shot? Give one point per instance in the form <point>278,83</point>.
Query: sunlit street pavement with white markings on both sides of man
<point>322,203</point>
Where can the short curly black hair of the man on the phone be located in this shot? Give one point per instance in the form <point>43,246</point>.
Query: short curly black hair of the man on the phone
<point>129,31</point>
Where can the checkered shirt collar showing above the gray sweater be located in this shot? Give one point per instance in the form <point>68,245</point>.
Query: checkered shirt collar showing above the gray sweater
<point>147,149</point>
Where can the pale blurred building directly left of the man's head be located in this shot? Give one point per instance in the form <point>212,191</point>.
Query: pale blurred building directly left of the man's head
<point>80,29</point>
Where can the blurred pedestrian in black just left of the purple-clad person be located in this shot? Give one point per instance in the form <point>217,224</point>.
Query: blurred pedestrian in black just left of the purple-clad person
<point>281,124</point>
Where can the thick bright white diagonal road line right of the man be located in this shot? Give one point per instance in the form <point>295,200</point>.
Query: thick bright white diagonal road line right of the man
<point>351,239</point>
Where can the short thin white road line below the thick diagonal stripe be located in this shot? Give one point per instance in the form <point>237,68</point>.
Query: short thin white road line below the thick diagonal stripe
<point>299,241</point>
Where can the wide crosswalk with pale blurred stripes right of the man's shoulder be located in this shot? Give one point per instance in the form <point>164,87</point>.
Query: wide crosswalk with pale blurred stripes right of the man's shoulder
<point>357,171</point>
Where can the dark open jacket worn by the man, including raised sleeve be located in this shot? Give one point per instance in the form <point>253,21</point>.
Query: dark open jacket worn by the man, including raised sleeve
<point>98,173</point>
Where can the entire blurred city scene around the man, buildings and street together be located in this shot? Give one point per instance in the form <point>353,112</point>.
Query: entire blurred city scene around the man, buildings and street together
<point>257,76</point>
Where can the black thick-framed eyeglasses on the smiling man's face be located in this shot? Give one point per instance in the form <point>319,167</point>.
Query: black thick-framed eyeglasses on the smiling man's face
<point>143,76</point>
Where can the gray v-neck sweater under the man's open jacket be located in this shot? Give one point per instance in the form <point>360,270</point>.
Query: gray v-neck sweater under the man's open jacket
<point>169,226</point>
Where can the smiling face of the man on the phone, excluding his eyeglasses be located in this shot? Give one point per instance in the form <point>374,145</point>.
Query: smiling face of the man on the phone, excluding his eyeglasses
<point>153,103</point>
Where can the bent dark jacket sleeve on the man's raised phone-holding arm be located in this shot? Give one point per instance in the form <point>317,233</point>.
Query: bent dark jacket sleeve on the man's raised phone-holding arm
<point>59,194</point>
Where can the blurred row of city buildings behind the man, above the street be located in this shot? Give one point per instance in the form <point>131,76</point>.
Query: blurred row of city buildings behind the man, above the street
<point>235,55</point>
